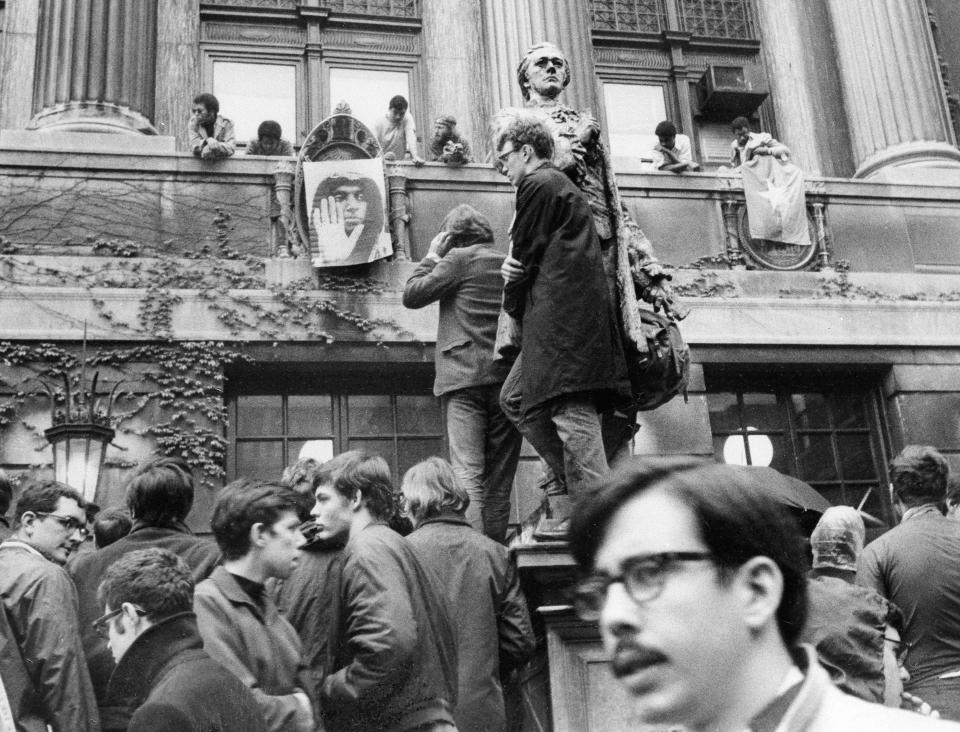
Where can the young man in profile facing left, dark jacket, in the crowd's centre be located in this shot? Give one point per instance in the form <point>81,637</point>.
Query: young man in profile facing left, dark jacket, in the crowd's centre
<point>394,648</point>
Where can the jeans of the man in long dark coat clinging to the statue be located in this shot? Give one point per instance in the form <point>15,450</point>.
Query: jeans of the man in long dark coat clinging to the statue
<point>565,431</point>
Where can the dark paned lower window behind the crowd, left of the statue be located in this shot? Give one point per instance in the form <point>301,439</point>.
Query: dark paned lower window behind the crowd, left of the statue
<point>270,431</point>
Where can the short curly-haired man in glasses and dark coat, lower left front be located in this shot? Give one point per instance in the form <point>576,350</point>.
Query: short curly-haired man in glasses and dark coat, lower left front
<point>161,667</point>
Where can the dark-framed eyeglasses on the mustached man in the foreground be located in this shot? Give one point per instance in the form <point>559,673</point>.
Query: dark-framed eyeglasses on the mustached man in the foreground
<point>643,578</point>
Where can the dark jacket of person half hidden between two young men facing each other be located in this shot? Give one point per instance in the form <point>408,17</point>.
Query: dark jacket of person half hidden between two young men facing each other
<point>309,599</point>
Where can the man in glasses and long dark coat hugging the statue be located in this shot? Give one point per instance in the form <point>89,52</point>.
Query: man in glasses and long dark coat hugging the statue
<point>571,358</point>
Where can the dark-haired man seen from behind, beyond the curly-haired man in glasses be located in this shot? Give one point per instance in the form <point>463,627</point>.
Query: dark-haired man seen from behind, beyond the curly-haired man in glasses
<point>159,495</point>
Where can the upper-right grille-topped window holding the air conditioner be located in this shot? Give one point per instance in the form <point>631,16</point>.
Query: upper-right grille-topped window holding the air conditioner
<point>669,45</point>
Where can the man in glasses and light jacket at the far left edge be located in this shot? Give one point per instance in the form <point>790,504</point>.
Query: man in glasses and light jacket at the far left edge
<point>41,657</point>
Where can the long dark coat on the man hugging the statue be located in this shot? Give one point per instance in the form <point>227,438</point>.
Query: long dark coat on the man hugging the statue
<point>569,341</point>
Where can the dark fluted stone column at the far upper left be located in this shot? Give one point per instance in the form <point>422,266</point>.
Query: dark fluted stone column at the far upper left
<point>95,66</point>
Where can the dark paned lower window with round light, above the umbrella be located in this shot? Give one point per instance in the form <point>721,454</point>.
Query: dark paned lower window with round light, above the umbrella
<point>825,434</point>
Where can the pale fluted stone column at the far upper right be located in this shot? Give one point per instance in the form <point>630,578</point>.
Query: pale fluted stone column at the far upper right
<point>895,103</point>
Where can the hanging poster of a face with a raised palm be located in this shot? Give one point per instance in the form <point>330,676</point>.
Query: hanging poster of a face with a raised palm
<point>347,212</point>
